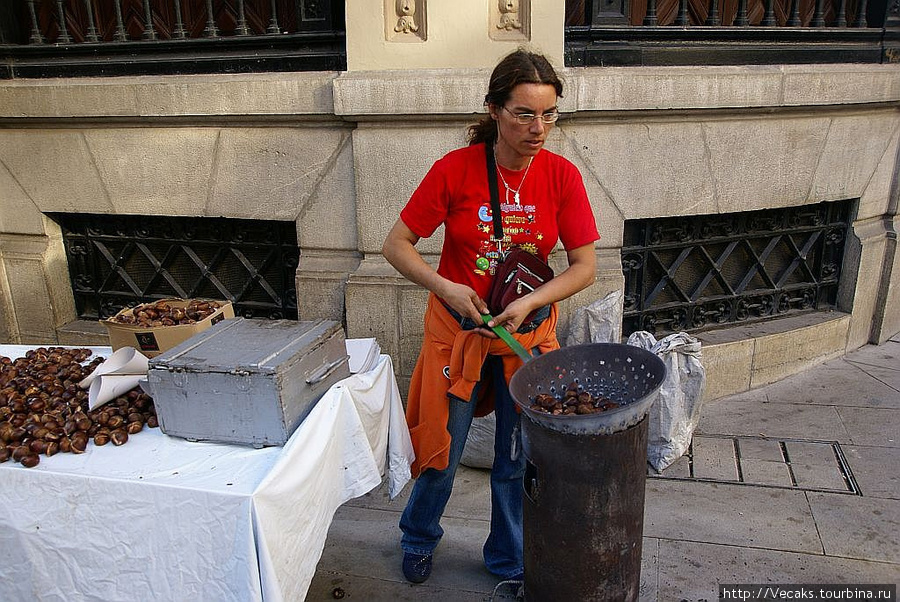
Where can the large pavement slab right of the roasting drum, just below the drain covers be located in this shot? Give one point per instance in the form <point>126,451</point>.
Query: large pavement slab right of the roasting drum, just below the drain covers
<point>737,515</point>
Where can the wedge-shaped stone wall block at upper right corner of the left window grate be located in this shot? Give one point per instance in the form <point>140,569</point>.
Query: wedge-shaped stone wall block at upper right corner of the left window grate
<point>327,218</point>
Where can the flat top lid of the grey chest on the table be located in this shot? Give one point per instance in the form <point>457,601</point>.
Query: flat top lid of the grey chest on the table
<point>260,346</point>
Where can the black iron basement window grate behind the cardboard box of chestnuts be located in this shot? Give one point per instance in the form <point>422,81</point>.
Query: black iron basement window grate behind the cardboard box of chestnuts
<point>117,261</point>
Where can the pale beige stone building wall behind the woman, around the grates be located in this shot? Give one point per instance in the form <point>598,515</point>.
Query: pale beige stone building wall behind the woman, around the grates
<point>339,153</point>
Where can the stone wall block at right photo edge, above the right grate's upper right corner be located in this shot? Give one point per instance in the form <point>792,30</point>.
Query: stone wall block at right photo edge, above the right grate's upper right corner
<point>854,149</point>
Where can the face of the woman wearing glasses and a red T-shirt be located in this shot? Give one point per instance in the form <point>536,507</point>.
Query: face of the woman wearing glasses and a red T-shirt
<point>517,142</point>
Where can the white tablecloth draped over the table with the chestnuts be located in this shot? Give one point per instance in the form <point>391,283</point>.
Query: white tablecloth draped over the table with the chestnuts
<point>166,519</point>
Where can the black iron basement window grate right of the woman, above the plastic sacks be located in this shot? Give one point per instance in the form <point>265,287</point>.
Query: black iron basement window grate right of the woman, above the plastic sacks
<point>699,272</point>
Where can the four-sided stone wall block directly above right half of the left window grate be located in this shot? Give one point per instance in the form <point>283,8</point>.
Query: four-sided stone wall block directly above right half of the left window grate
<point>273,172</point>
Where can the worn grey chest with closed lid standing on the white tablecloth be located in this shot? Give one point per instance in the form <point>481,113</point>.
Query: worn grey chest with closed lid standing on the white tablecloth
<point>247,381</point>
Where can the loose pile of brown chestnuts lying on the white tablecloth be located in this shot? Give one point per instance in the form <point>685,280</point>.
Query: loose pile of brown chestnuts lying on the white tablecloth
<point>43,411</point>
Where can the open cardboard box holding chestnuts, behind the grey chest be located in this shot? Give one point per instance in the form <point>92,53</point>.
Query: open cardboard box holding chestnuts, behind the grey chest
<point>153,341</point>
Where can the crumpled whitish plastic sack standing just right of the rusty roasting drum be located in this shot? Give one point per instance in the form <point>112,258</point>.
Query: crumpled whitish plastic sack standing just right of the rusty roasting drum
<point>676,412</point>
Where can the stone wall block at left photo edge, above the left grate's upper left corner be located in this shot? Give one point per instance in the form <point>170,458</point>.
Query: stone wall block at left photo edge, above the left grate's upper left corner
<point>55,169</point>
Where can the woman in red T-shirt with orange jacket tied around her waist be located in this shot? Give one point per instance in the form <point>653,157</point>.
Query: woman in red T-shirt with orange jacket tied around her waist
<point>463,369</point>
